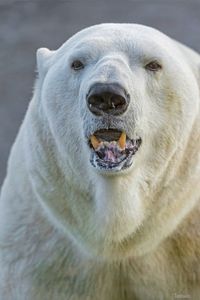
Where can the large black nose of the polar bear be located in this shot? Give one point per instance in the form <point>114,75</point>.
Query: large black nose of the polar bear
<point>107,98</point>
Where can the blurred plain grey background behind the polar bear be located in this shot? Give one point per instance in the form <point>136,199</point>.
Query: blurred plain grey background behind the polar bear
<point>27,25</point>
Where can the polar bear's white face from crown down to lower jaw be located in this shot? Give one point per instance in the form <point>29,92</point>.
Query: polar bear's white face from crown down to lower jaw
<point>117,86</point>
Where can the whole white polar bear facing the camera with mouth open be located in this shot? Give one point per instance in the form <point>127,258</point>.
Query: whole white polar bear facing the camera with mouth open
<point>101,197</point>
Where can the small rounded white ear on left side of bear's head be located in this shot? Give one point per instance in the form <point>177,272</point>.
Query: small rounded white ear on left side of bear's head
<point>43,60</point>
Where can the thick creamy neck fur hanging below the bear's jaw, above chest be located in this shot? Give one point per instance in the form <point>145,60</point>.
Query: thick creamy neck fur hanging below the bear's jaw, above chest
<point>109,220</point>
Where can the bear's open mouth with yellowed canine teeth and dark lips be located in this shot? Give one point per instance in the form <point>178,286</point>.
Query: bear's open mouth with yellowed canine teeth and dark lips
<point>112,149</point>
